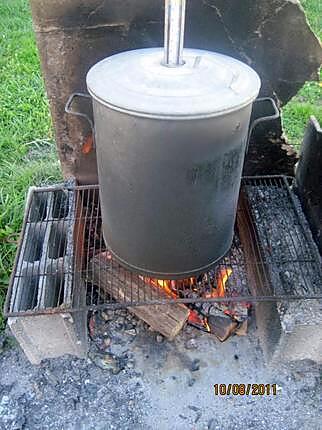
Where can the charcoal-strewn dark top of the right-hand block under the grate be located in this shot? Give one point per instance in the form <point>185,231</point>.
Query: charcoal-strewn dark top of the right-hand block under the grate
<point>290,256</point>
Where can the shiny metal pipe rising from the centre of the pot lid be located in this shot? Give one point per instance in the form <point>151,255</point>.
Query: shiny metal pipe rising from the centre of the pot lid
<point>174,32</point>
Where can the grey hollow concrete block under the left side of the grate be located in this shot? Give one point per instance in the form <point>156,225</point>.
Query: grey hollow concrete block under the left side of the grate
<point>44,279</point>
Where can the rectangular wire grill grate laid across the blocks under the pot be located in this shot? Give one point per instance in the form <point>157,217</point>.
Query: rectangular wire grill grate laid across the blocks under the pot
<point>62,263</point>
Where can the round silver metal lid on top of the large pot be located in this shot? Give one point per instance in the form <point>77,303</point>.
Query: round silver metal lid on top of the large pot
<point>207,84</point>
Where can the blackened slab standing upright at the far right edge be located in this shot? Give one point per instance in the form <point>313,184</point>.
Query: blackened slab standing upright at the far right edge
<point>309,178</point>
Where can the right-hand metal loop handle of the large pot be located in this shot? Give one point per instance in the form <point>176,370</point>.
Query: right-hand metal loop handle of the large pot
<point>264,109</point>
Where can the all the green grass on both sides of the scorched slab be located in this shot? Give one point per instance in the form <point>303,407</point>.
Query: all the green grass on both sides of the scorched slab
<point>27,150</point>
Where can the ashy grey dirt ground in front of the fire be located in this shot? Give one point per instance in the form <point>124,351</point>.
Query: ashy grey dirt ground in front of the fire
<point>134,379</point>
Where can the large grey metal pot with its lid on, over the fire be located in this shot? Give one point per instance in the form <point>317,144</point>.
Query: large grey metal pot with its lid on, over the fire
<point>170,147</point>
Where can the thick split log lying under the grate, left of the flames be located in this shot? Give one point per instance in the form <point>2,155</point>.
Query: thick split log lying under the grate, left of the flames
<point>166,319</point>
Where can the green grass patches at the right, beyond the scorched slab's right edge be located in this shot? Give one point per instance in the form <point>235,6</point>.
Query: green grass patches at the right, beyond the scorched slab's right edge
<point>308,101</point>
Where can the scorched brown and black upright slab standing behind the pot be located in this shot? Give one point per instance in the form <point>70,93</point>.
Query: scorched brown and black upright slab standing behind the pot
<point>270,35</point>
